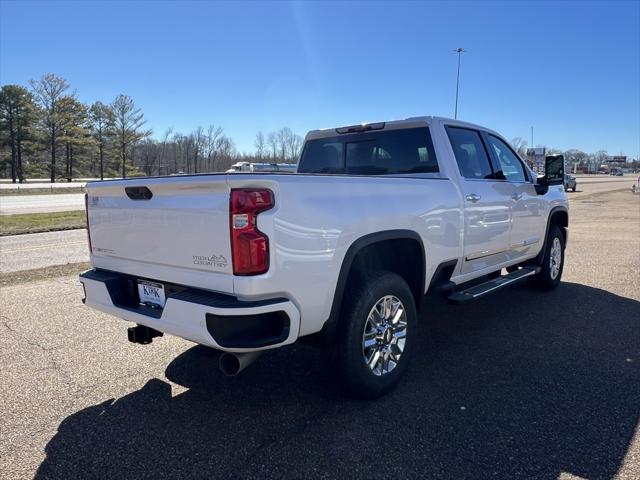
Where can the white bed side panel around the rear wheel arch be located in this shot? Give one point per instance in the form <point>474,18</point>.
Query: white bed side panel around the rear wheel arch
<point>317,218</point>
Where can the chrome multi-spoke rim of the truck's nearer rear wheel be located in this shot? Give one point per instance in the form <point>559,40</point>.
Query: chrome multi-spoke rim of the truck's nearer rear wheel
<point>384,335</point>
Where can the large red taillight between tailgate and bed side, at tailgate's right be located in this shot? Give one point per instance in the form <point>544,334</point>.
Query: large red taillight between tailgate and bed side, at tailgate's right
<point>249,246</point>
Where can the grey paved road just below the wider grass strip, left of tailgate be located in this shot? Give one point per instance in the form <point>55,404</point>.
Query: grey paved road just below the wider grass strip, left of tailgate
<point>39,250</point>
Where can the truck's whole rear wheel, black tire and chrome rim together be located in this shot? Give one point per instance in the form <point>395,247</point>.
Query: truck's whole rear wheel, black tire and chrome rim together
<point>375,335</point>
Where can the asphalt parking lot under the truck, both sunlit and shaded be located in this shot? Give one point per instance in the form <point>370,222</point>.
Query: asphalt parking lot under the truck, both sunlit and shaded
<point>519,385</point>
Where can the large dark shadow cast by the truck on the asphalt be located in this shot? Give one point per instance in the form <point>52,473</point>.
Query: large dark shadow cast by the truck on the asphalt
<point>521,384</point>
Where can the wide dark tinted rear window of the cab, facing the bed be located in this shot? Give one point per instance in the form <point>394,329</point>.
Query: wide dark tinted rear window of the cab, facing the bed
<point>402,151</point>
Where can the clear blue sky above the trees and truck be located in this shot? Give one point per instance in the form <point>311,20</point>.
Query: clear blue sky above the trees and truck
<point>572,70</point>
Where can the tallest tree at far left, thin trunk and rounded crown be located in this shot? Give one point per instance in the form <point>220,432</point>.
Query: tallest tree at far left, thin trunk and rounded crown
<point>48,91</point>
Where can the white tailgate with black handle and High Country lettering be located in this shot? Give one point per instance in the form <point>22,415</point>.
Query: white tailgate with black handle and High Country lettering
<point>179,235</point>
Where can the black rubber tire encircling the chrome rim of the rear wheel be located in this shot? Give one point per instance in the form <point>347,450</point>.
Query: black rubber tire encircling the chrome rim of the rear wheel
<point>347,352</point>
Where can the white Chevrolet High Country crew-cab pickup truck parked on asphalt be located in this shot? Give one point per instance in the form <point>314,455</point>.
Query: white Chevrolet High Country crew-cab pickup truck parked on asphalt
<point>341,252</point>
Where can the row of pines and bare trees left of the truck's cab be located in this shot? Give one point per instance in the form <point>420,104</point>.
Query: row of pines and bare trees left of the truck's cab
<point>45,131</point>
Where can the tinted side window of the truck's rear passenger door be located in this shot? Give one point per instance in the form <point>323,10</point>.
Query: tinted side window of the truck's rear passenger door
<point>470,153</point>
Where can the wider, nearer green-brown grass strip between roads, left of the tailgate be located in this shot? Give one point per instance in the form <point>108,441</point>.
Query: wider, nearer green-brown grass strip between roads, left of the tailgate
<point>41,222</point>
